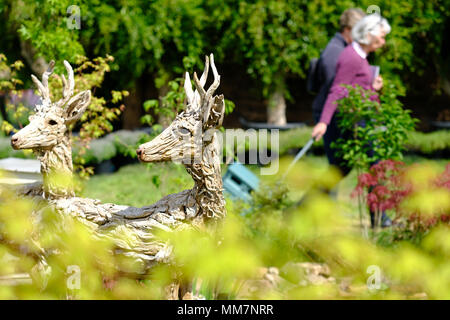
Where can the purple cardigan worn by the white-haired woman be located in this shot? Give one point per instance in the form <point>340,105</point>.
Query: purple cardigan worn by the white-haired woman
<point>351,69</point>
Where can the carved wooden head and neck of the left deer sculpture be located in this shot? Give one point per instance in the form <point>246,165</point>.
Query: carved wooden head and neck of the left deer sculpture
<point>48,132</point>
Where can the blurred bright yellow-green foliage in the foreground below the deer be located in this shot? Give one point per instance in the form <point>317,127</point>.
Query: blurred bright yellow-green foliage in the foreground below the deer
<point>233,259</point>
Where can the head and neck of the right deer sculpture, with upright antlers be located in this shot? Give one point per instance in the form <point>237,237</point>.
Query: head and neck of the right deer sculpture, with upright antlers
<point>191,139</point>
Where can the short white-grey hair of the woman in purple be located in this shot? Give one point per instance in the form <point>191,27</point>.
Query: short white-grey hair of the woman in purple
<point>371,24</point>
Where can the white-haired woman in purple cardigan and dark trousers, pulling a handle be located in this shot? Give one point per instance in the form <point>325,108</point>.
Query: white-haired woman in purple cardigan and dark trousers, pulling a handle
<point>352,69</point>
